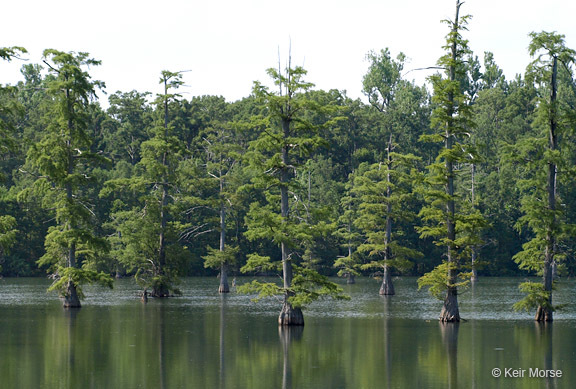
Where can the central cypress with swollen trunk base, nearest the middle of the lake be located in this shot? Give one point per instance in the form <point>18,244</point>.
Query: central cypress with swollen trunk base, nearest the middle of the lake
<point>286,137</point>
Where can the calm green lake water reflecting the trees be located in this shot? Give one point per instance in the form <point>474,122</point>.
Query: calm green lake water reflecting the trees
<point>205,340</point>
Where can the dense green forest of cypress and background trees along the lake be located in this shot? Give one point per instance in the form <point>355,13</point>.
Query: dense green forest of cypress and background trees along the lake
<point>467,176</point>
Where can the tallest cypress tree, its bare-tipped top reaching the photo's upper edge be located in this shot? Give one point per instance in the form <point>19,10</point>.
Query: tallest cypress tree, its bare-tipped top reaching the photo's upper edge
<point>451,120</point>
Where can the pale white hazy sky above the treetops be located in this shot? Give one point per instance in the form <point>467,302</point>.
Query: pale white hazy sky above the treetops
<point>227,44</point>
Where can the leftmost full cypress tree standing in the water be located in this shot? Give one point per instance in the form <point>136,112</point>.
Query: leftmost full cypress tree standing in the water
<point>62,160</point>
